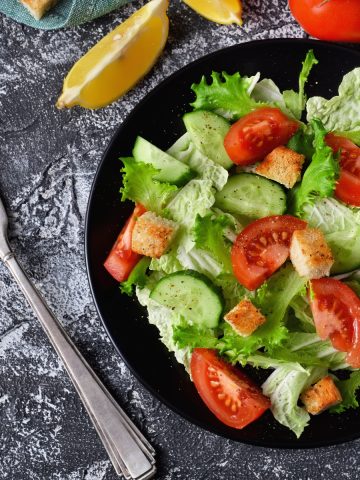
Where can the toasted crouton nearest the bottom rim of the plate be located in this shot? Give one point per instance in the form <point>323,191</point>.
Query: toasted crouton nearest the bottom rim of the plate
<point>321,396</point>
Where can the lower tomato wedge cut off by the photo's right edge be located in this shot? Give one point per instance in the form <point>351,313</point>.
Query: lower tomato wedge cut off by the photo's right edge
<point>336,311</point>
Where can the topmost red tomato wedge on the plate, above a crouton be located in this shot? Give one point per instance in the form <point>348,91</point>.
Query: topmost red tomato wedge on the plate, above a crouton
<point>257,134</point>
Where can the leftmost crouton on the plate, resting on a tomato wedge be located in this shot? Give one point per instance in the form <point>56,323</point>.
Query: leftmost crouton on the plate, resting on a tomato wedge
<point>152,235</point>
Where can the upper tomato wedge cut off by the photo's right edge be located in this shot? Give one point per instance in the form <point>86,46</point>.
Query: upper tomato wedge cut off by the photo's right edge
<point>348,186</point>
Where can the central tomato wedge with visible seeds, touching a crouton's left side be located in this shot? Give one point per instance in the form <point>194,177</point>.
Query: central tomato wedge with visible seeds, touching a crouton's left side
<point>262,247</point>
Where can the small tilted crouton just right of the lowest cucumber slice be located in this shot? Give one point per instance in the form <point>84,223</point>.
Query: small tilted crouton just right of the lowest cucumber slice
<point>244,318</point>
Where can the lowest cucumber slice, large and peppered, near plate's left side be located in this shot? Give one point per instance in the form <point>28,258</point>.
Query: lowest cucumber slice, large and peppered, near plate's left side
<point>191,295</point>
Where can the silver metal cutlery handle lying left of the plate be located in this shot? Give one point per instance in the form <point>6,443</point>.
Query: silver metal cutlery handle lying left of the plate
<point>103,408</point>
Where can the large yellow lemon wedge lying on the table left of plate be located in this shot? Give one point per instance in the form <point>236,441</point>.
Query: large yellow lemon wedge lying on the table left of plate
<point>119,60</point>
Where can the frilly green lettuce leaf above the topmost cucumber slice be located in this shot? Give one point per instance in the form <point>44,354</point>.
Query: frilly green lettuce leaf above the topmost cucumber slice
<point>228,95</point>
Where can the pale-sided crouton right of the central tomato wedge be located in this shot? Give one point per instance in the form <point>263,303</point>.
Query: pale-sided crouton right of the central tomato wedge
<point>310,254</point>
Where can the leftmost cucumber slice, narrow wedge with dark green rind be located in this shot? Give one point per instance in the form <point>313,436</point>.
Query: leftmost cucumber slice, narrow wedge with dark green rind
<point>171,170</point>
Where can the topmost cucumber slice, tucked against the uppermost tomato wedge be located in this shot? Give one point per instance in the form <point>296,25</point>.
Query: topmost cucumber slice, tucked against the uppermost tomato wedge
<point>207,131</point>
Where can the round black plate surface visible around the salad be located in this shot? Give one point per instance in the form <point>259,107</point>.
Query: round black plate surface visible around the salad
<point>158,119</point>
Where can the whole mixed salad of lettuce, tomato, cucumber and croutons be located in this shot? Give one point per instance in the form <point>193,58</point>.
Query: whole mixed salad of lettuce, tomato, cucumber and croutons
<point>244,246</point>
